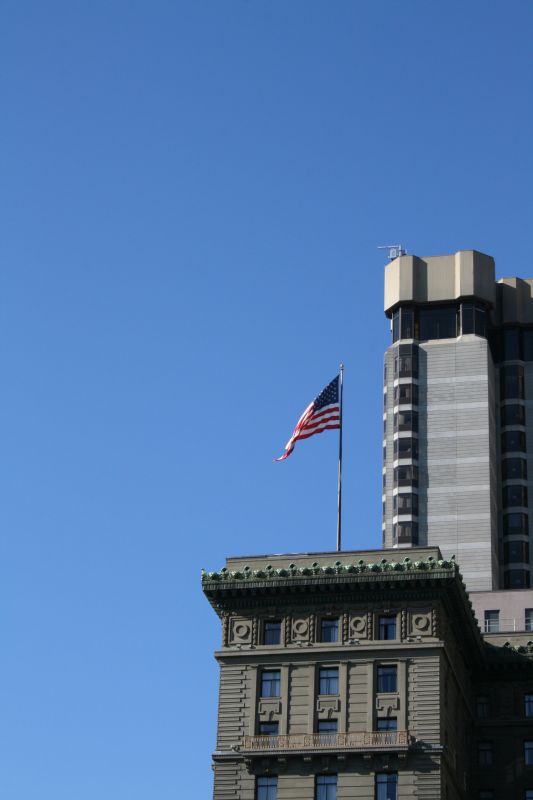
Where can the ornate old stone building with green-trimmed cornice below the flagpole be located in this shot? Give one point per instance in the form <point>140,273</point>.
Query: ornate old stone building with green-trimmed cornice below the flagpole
<point>360,675</point>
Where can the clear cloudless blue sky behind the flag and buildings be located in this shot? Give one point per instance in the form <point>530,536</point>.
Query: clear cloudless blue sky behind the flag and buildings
<point>192,196</point>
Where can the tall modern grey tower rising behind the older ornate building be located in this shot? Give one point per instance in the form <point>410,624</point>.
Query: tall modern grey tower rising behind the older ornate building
<point>458,415</point>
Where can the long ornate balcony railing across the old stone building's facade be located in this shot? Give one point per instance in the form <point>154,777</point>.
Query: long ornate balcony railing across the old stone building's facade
<point>365,740</point>
